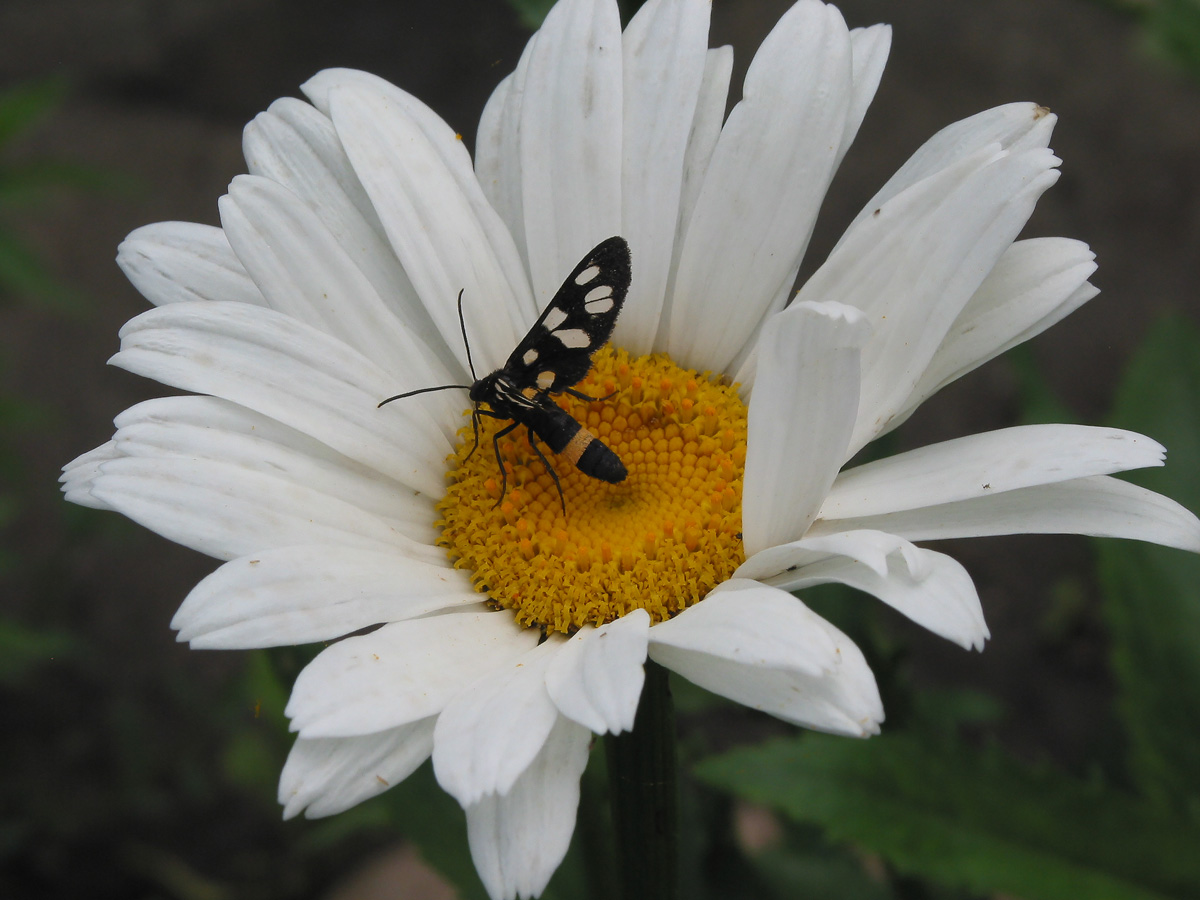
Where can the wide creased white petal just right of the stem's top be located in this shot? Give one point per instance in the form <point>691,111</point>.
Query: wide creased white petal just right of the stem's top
<point>765,650</point>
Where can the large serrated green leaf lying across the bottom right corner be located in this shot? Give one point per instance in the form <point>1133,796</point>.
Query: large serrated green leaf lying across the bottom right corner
<point>969,819</point>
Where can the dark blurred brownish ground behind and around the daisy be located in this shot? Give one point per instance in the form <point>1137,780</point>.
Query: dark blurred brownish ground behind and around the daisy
<point>135,767</point>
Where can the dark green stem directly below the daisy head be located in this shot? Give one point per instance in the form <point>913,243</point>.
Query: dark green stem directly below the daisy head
<point>645,796</point>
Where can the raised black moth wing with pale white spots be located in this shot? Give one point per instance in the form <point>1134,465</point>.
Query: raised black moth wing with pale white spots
<point>579,321</point>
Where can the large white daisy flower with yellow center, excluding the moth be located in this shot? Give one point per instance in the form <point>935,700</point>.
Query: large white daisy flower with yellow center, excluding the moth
<point>333,283</point>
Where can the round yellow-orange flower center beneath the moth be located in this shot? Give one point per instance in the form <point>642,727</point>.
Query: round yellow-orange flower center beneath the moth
<point>659,541</point>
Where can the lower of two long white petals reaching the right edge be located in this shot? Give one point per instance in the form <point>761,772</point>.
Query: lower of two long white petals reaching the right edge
<point>1101,507</point>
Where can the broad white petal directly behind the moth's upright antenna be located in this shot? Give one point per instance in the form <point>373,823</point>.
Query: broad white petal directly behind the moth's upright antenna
<point>434,224</point>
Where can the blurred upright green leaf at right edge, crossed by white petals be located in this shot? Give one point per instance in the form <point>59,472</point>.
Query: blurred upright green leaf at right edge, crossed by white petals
<point>1153,595</point>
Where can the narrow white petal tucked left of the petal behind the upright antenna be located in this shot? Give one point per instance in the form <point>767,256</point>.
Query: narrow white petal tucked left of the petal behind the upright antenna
<point>298,147</point>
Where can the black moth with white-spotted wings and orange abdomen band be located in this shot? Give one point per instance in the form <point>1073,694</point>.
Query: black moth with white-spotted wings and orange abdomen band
<point>553,358</point>
